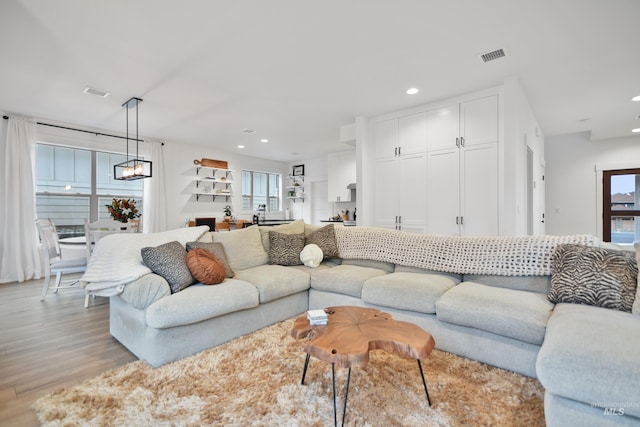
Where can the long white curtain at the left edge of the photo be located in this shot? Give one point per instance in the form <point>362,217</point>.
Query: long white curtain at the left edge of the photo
<point>20,254</point>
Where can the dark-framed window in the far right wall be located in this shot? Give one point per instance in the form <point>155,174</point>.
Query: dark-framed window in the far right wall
<point>620,210</point>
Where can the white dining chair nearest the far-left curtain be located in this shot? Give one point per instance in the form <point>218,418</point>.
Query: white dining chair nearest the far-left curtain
<point>53,261</point>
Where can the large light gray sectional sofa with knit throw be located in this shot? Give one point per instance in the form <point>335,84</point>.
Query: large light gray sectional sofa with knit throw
<point>484,298</point>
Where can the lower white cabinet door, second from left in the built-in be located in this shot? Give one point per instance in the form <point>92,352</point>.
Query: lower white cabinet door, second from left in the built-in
<point>412,192</point>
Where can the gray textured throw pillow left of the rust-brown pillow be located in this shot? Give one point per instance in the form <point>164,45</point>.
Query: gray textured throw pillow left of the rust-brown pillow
<point>169,261</point>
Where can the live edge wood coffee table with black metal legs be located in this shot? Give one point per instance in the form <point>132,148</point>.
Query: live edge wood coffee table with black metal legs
<point>351,333</point>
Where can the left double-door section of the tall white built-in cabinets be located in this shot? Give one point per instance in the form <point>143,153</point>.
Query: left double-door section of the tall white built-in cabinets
<point>400,173</point>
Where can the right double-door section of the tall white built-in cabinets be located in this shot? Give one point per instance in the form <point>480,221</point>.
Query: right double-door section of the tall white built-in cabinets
<point>463,168</point>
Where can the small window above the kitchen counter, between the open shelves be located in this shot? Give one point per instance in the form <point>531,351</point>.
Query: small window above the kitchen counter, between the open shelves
<point>260,188</point>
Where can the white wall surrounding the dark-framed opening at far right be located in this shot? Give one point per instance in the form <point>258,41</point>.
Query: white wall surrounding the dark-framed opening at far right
<point>572,201</point>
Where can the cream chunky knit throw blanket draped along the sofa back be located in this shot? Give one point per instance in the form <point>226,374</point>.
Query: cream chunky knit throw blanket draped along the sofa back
<point>497,255</point>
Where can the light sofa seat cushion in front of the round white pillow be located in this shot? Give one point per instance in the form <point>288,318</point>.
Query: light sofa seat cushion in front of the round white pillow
<point>275,281</point>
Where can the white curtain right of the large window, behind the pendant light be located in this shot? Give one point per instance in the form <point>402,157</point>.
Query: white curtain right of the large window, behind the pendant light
<point>154,205</point>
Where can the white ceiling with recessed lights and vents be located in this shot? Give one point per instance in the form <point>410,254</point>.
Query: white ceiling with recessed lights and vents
<point>296,70</point>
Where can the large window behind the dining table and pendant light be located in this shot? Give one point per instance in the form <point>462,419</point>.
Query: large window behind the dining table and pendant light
<point>74,184</point>
